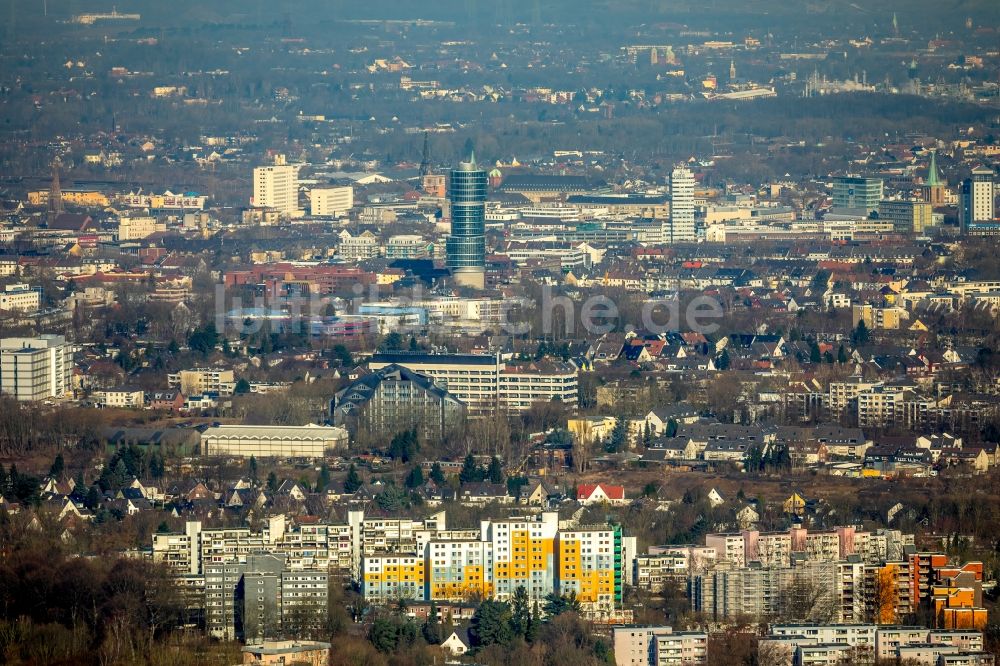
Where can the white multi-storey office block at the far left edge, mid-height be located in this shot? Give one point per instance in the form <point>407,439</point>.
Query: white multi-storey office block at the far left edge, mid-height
<point>36,368</point>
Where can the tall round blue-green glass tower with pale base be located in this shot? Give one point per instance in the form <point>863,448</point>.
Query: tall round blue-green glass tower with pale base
<point>466,246</point>
